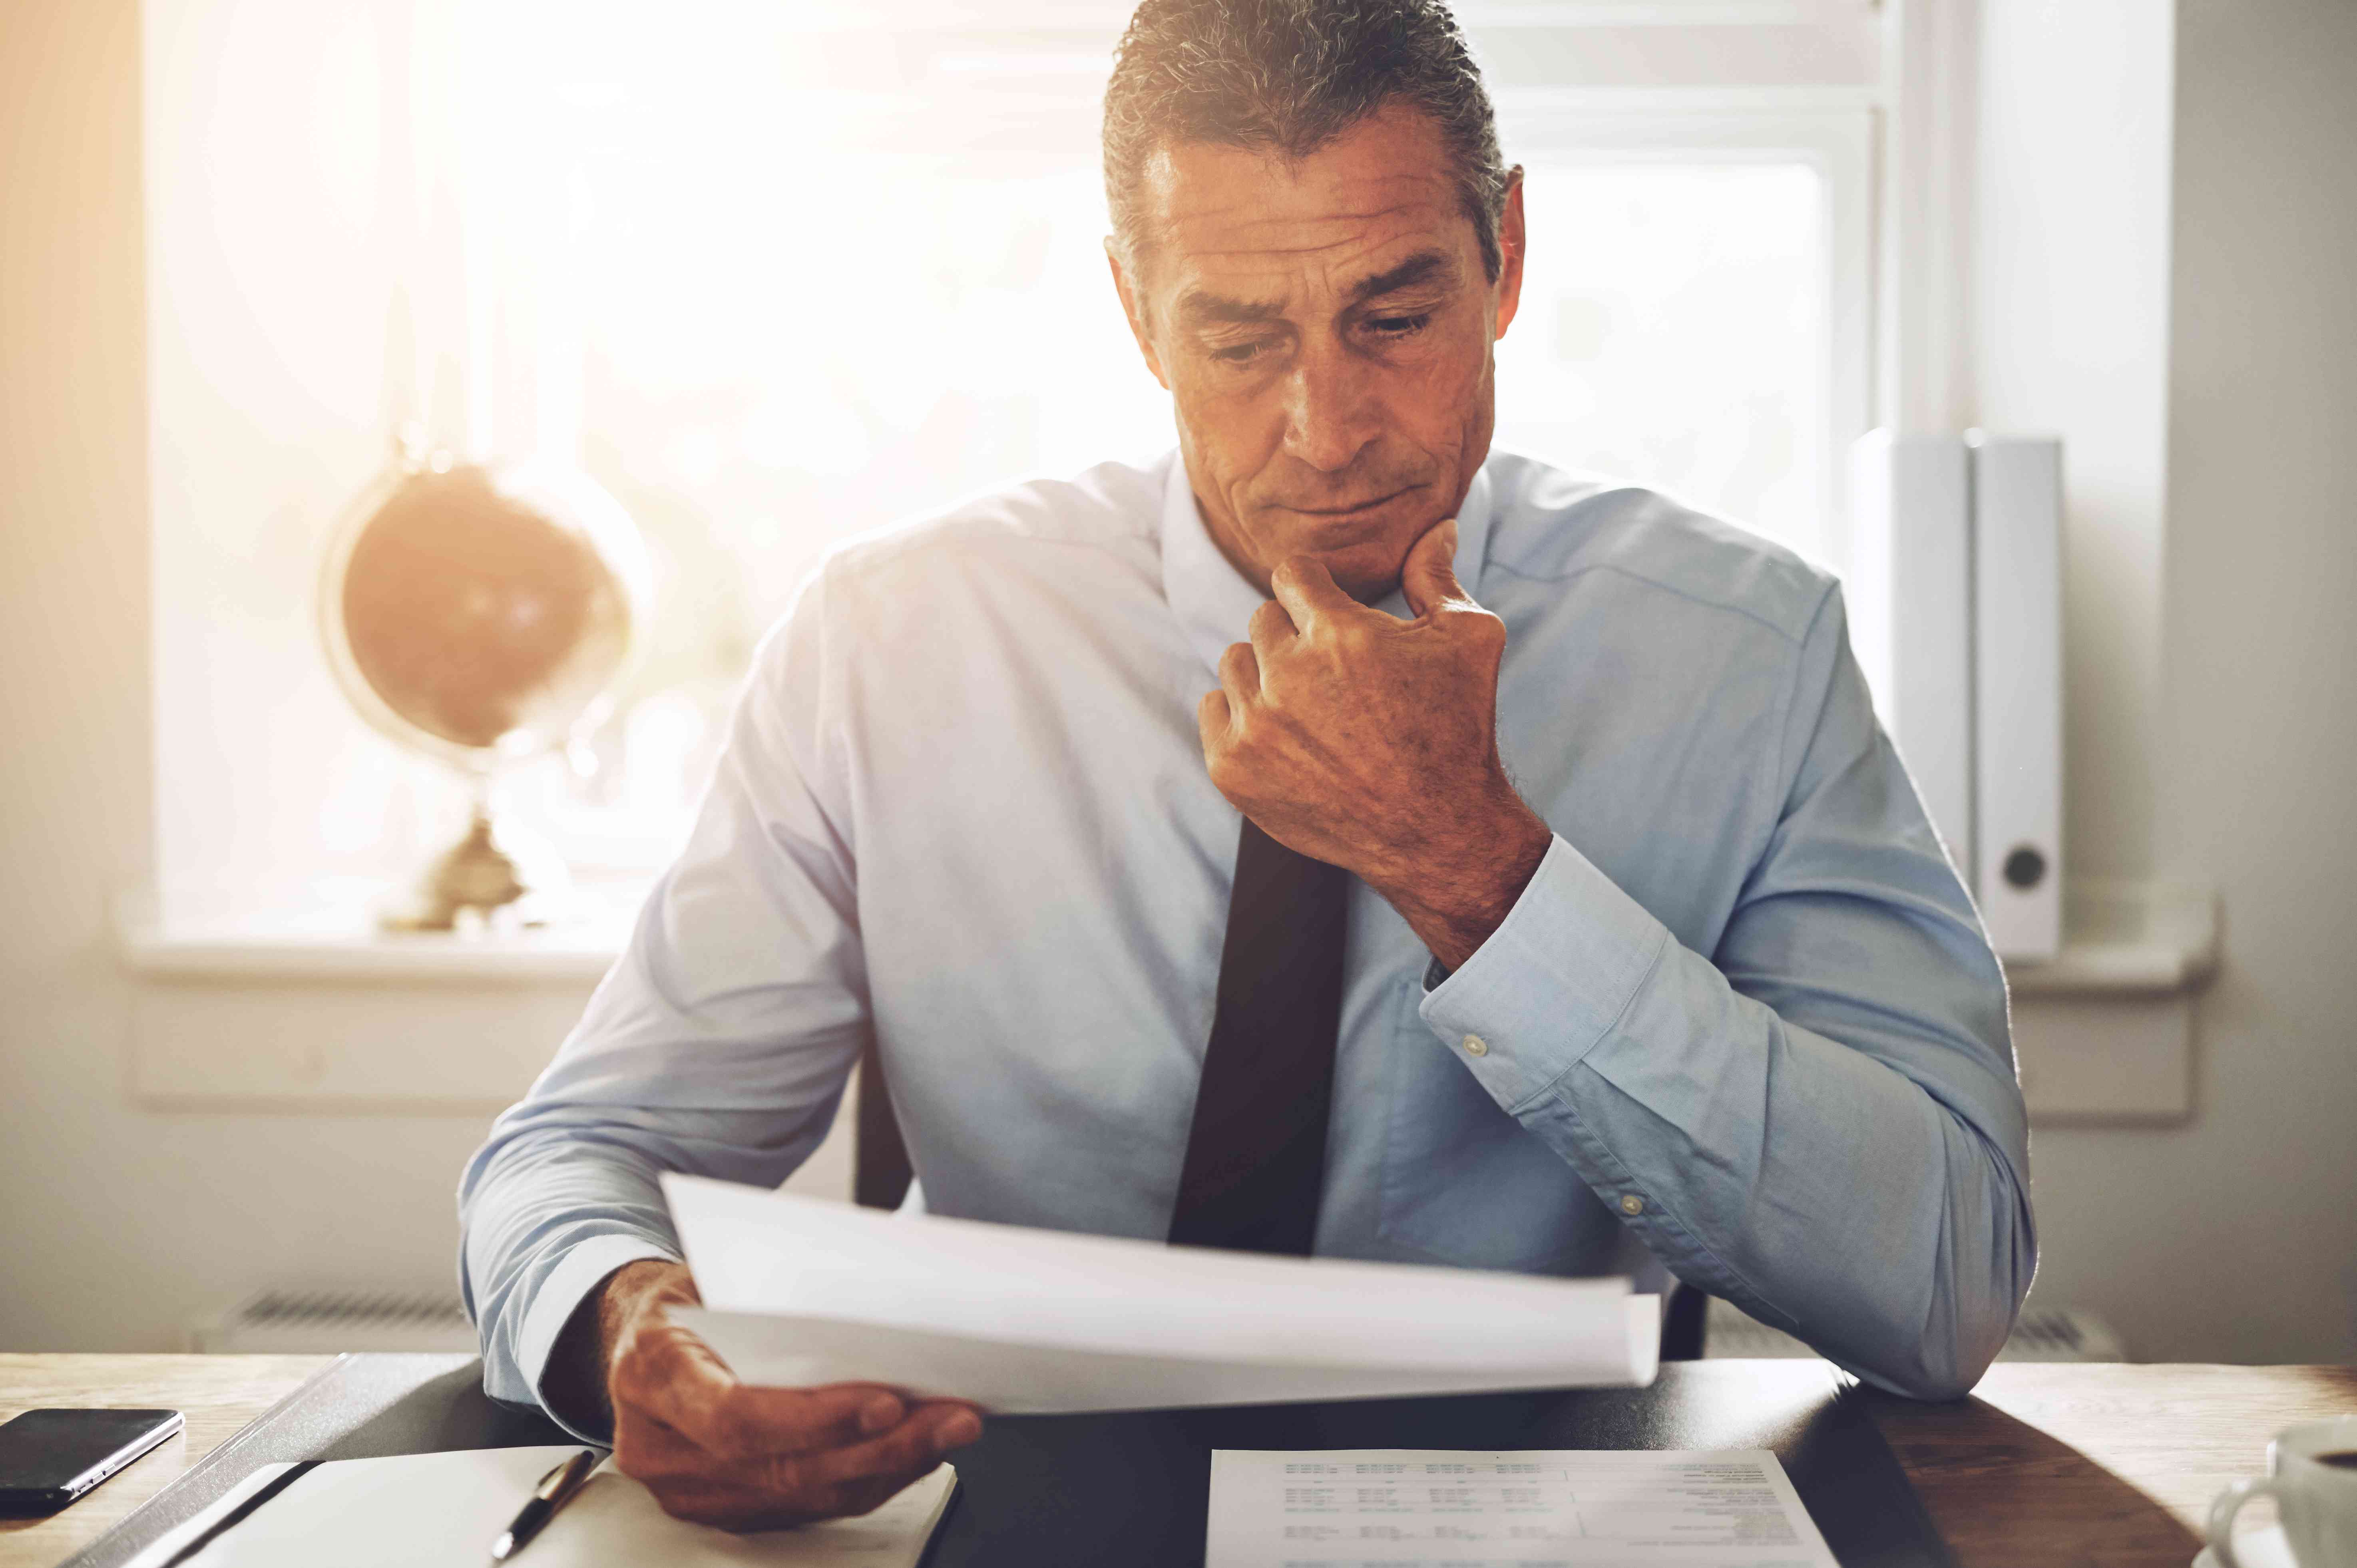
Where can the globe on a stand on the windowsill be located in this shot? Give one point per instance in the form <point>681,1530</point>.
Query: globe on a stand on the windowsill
<point>482,617</point>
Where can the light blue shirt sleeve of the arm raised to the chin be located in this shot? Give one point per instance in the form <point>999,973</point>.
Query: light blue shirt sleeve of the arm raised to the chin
<point>1821,1121</point>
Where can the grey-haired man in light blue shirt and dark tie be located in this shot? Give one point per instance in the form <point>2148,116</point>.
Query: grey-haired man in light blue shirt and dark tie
<point>1335,838</point>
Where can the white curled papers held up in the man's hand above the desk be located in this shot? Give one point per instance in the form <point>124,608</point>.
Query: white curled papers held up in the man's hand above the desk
<point>800,1291</point>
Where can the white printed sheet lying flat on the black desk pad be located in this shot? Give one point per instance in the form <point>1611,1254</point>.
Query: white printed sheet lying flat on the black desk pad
<point>1420,1508</point>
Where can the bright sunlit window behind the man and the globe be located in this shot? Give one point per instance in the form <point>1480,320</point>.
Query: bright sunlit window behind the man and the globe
<point>779,275</point>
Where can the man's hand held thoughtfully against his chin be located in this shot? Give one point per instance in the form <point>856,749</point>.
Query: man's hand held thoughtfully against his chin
<point>1371,744</point>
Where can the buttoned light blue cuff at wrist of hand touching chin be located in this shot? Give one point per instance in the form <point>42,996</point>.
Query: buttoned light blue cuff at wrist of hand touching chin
<point>1550,984</point>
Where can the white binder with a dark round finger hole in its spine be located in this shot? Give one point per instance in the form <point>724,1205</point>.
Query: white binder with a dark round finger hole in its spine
<point>2019,692</point>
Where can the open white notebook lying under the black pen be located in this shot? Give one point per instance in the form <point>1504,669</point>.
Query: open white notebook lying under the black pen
<point>447,1508</point>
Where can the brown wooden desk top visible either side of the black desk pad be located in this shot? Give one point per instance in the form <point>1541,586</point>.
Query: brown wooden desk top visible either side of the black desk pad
<point>2045,1468</point>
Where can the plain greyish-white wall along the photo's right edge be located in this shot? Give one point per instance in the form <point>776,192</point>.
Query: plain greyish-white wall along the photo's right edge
<point>2236,1237</point>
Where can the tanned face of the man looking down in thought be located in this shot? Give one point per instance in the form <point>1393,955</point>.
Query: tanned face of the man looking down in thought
<point>1326,334</point>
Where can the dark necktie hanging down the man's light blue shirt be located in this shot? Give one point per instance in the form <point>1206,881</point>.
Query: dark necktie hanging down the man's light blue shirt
<point>1255,1157</point>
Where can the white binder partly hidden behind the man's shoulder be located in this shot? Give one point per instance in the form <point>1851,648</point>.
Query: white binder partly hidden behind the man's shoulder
<point>1915,614</point>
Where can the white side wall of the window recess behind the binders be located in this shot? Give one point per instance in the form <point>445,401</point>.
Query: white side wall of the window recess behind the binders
<point>2068,310</point>
